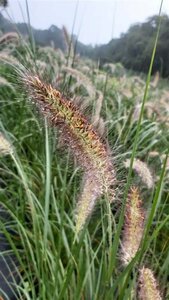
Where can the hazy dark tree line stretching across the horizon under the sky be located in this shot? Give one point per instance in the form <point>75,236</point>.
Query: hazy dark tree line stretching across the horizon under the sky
<point>133,49</point>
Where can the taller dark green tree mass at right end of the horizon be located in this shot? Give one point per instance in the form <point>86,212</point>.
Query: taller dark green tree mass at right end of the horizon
<point>134,48</point>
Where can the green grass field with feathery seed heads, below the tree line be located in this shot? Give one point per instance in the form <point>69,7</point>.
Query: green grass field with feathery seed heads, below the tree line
<point>41,179</point>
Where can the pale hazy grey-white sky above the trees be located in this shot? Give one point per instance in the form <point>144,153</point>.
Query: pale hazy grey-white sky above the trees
<point>96,21</point>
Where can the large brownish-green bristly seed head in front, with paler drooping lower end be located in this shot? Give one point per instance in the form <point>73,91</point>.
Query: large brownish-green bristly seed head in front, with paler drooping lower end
<point>81,137</point>
